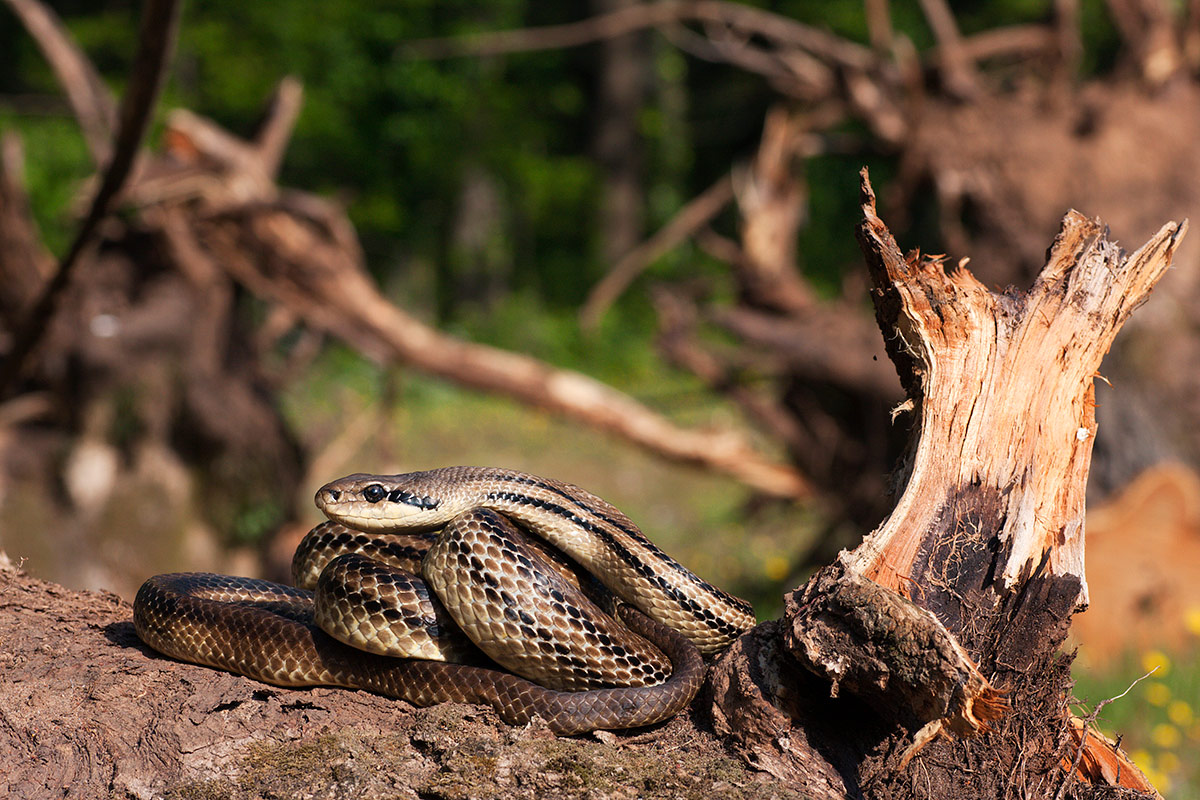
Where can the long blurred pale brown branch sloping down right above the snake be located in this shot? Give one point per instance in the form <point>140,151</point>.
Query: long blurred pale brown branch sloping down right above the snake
<point>289,262</point>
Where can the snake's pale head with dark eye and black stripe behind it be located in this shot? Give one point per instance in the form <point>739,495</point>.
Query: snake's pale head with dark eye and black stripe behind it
<point>381,503</point>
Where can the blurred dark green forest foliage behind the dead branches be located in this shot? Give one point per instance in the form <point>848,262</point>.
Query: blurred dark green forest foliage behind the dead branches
<point>397,139</point>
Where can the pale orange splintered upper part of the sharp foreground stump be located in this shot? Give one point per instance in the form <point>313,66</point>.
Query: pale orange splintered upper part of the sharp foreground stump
<point>1003,392</point>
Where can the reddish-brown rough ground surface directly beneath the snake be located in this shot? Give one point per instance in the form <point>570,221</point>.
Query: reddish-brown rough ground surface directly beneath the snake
<point>88,712</point>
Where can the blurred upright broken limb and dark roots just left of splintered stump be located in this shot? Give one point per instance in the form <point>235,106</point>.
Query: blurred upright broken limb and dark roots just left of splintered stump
<point>812,363</point>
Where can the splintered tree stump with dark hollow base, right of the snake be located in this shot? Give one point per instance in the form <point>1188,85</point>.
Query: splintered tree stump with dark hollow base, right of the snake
<point>926,661</point>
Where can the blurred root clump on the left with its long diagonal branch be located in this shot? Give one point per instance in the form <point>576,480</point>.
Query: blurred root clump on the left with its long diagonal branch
<point>208,218</point>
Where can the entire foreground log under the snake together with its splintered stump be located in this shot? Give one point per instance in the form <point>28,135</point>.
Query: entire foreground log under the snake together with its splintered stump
<point>929,651</point>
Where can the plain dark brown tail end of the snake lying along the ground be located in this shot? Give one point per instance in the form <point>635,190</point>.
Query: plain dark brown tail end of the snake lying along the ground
<point>265,631</point>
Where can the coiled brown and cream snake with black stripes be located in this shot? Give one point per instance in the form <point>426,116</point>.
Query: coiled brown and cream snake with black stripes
<point>465,585</point>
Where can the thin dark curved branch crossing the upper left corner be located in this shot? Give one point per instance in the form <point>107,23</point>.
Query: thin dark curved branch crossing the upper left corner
<point>157,40</point>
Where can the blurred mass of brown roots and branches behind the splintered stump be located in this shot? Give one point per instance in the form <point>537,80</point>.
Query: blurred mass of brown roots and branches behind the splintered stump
<point>970,118</point>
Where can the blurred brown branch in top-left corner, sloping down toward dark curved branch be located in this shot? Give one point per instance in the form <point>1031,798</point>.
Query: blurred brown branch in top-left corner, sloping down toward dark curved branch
<point>89,98</point>
